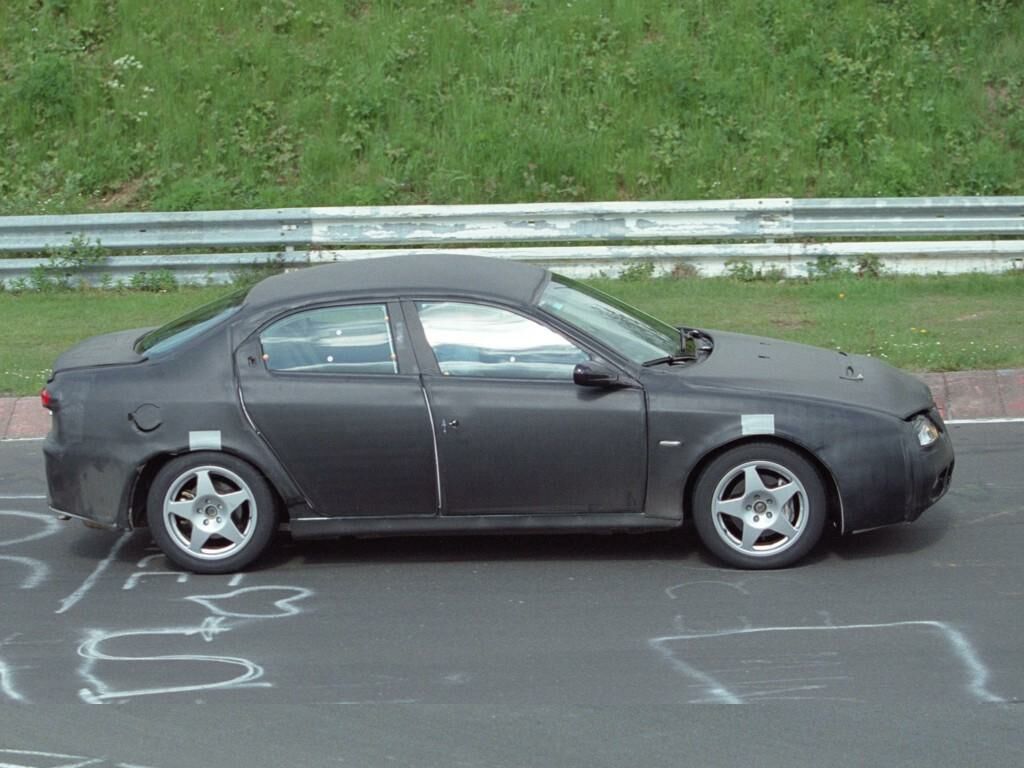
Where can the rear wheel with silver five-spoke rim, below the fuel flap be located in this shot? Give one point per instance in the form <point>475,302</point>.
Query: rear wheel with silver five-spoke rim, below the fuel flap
<point>211,513</point>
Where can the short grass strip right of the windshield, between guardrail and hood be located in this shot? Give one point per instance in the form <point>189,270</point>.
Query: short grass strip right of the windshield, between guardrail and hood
<point>955,323</point>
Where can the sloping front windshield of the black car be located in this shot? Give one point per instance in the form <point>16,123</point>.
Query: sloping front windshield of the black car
<point>630,332</point>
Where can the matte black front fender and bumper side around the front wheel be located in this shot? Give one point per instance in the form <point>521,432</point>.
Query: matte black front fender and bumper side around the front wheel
<point>869,451</point>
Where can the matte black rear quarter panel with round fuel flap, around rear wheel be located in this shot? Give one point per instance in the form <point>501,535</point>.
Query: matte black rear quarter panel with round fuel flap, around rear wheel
<point>95,452</point>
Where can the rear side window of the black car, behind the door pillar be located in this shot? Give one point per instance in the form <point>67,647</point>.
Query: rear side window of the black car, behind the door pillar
<point>337,340</point>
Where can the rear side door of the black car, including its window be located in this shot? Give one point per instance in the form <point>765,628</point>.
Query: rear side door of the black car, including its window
<point>344,409</point>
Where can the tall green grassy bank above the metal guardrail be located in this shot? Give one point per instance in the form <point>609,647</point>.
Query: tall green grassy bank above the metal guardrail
<point>238,104</point>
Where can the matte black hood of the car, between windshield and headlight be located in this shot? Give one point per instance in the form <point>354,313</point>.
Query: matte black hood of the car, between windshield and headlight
<point>742,362</point>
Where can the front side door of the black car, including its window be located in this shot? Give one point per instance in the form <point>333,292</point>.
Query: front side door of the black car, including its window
<point>515,435</point>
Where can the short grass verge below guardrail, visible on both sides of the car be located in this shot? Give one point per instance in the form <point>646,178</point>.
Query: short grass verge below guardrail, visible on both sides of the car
<point>919,324</point>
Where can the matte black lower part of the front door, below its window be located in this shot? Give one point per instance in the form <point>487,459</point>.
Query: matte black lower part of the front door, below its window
<point>542,447</point>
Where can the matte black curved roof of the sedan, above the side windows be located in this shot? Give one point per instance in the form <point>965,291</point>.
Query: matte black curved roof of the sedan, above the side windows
<point>406,276</point>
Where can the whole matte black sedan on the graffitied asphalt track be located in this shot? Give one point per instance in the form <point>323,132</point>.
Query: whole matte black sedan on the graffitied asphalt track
<point>455,395</point>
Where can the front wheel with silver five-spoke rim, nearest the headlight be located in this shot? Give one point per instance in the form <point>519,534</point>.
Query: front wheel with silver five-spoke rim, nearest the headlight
<point>772,525</point>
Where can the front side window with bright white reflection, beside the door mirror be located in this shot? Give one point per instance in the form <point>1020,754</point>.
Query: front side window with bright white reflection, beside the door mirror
<point>478,340</point>
